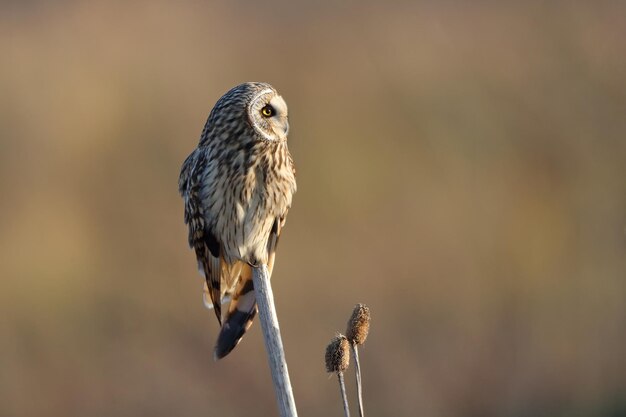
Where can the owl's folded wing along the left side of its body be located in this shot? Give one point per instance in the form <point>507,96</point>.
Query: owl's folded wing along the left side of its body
<point>201,238</point>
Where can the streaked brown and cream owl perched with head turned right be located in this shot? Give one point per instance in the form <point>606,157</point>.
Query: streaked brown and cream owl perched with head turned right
<point>237,186</point>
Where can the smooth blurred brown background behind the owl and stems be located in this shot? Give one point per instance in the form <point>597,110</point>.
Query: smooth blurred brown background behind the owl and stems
<point>461,170</point>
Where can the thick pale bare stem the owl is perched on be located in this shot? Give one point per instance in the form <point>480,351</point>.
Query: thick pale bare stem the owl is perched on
<point>273,342</point>
